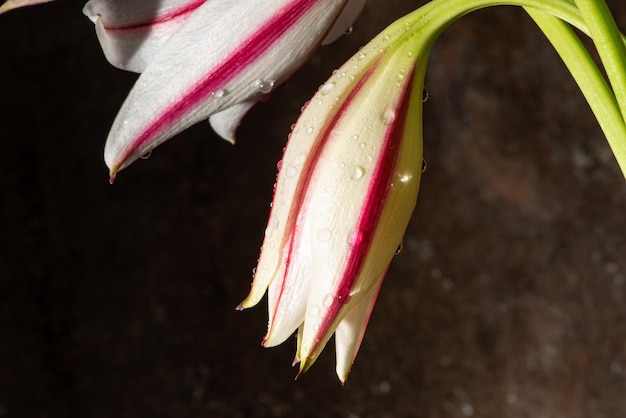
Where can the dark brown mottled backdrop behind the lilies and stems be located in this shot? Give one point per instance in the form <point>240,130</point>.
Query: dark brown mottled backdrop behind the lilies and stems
<point>508,299</point>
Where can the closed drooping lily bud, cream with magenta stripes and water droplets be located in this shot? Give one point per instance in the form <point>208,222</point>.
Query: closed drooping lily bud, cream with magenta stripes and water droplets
<point>344,196</point>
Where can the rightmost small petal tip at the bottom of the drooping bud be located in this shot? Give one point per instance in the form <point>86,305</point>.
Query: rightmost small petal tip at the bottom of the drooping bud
<point>350,331</point>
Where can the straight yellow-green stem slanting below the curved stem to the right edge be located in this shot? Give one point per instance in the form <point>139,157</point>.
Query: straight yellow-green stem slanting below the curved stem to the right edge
<point>589,79</point>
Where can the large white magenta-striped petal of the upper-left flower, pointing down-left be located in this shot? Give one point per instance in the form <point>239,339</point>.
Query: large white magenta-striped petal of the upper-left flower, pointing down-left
<point>270,41</point>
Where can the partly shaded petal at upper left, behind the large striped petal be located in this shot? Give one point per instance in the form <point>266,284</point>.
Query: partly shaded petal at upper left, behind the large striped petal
<point>132,32</point>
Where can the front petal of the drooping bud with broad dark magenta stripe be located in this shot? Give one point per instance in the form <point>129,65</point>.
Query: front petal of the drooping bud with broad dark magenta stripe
<point>364,191</point>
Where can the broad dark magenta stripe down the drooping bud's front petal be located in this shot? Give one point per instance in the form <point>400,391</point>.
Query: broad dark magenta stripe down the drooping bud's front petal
<point>380,185</point>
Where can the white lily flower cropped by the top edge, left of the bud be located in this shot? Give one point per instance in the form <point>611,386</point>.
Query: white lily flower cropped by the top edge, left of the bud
<point>203,59</point>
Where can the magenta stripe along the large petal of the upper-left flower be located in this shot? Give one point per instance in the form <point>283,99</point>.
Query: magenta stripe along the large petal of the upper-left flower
<point>249,51</point>
